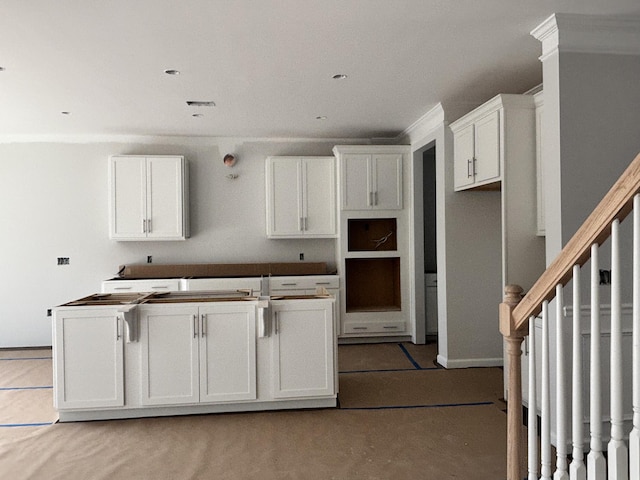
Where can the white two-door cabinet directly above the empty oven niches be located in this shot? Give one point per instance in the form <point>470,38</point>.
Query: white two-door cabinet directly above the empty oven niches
<point>371,177</point>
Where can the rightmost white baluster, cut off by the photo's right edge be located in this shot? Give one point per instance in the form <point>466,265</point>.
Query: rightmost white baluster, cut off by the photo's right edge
<point>634,436</point>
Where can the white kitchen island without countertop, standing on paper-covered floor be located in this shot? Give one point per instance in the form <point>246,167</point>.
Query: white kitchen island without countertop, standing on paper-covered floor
<point>152,354</point>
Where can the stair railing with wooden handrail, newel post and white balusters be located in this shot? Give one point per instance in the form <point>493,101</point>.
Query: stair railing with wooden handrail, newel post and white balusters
<point>599,368</point>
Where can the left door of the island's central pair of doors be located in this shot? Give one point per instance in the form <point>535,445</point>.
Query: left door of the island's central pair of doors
<point>169,355</point>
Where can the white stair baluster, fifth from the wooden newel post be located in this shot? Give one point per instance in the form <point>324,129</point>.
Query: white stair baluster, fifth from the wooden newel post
<point>596,463</point>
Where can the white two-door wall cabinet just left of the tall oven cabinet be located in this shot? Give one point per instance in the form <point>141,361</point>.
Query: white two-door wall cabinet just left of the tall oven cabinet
<point>301,193</point>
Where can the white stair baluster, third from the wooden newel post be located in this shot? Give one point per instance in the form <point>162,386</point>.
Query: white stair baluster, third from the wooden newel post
<point>561,472</point>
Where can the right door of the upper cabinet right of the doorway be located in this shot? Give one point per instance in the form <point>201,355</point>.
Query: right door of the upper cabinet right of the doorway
<point>487,148</point>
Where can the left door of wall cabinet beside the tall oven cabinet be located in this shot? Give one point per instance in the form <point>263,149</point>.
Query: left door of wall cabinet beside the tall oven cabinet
<point>284,203</point>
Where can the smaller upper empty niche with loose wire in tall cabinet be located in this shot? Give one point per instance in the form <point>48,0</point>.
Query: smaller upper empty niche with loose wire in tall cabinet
<point>372,234</point>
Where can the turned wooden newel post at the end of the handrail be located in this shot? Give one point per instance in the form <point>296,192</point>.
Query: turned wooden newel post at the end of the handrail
<point>513,338</point>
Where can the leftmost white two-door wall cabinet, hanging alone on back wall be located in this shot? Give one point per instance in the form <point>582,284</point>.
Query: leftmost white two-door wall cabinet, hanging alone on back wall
<point>148,198</point>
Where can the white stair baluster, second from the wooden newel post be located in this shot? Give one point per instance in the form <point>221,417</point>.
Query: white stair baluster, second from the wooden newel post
<point>545,399</point>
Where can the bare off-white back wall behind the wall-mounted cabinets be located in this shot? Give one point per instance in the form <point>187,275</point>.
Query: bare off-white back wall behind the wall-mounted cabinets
<point>53,203</point>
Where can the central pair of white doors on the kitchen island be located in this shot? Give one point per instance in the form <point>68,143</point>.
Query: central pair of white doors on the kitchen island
<point>194,355</point>
